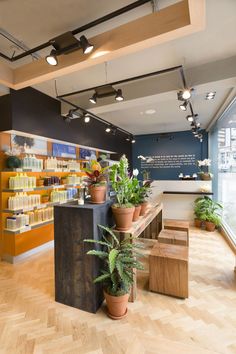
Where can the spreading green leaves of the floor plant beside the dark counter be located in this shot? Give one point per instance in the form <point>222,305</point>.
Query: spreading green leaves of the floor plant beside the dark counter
<point>119,259</point>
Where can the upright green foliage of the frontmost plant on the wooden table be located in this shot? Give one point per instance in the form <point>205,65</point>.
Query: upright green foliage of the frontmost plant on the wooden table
<point>122,183</point>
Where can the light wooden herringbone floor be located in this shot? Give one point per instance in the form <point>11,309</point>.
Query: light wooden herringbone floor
<point>32,322</point>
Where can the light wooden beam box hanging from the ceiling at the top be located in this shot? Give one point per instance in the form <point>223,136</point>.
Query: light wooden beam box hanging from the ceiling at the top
<point>175,21</point>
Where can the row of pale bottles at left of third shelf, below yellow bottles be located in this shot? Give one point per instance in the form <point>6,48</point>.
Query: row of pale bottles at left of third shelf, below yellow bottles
<point>23,201</point>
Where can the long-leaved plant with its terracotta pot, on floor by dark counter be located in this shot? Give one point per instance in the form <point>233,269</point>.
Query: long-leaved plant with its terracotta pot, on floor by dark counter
<point>119,260</point>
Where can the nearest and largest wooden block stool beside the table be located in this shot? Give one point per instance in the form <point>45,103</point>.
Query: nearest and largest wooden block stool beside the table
<point>168,266</point>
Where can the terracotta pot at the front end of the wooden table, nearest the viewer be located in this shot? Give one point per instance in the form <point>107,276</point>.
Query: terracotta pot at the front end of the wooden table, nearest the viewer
<point>123,217</point>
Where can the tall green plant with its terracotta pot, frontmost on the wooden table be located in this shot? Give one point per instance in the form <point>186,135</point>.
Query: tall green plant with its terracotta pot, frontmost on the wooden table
<point>121,181</point>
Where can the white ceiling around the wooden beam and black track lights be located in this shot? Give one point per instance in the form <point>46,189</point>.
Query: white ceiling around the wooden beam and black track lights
<point>35,22</point>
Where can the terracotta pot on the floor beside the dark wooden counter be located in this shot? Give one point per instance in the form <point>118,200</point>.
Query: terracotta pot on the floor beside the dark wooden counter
<point>117,305</point>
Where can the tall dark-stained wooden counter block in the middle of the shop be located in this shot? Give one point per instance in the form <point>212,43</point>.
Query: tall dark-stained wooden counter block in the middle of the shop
<point>74,269</point>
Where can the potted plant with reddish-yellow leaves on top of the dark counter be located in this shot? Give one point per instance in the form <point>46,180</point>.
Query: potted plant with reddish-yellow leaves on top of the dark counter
<point>96,180</point>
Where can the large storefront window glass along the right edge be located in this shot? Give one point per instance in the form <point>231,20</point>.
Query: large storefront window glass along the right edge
<point>223,155</point>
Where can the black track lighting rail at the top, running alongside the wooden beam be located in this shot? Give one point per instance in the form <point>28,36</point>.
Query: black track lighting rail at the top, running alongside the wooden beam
<point>80,29</point>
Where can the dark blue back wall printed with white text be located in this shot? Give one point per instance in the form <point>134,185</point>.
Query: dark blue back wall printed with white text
<point>169,154</point>
